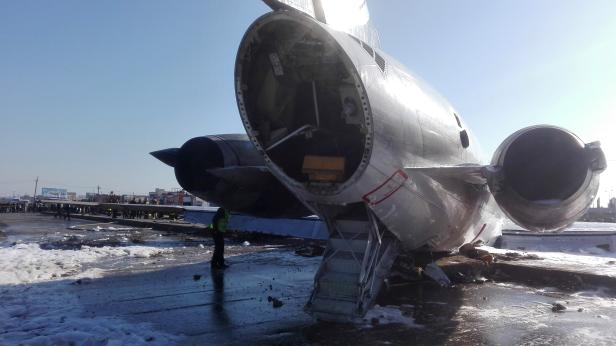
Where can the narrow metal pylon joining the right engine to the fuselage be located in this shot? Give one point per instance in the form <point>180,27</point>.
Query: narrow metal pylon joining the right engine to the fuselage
<point>473,174</point>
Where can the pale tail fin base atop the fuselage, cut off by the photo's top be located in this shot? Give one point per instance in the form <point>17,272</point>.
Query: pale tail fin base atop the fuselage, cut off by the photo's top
<point>350,16</point>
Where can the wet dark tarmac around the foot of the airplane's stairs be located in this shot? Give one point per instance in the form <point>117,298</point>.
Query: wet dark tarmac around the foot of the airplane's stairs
<point>176,292</point>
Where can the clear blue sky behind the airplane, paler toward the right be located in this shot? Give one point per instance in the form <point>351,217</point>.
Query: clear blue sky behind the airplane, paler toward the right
<point>88,89</point>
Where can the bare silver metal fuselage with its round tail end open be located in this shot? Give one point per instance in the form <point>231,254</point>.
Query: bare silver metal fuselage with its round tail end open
<point>403,123</point>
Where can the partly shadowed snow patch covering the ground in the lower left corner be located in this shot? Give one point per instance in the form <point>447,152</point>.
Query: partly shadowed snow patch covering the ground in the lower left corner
<point>38,308</point>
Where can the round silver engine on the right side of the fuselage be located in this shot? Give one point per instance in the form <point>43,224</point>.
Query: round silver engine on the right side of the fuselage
<point>545,177</point>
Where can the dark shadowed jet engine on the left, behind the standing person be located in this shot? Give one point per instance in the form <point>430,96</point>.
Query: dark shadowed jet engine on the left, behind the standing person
<point>226,170</point>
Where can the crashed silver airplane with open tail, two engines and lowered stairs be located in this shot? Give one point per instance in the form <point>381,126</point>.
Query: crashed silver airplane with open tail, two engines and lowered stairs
<point>337,128</point>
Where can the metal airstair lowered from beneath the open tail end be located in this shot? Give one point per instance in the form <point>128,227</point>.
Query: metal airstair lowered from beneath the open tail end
<point>357,259</point>
